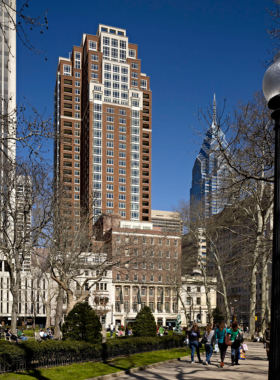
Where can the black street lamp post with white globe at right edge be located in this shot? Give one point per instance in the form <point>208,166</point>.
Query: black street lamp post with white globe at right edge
<point>271,90</point>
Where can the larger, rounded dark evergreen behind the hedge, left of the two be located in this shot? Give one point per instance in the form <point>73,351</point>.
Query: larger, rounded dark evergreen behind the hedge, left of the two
<point>82,323</point>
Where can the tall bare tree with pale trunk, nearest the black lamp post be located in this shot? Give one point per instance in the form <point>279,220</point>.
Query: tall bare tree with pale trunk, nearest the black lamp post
<point>249,157</point>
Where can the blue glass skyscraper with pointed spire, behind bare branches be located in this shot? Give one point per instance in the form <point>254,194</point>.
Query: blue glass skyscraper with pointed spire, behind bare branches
<point>207,171</point>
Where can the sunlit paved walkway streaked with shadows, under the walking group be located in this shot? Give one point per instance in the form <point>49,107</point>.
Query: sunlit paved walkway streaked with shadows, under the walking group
<point>254,367</point>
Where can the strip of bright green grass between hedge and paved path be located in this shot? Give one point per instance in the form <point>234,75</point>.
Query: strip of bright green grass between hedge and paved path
<point>88,370</point>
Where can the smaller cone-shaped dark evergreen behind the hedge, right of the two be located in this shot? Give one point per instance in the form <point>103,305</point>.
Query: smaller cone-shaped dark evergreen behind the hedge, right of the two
<point>145,324</point>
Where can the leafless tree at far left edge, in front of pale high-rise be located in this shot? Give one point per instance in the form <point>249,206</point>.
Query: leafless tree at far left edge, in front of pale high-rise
<point>25,214</point>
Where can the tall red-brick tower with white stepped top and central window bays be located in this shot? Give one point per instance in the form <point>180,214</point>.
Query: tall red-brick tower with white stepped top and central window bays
<point>103,125</point>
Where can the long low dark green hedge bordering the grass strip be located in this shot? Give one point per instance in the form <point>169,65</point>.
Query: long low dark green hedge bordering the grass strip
<point>33,352</point>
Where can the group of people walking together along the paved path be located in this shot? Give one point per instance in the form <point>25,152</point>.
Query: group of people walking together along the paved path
<point>227,337</point>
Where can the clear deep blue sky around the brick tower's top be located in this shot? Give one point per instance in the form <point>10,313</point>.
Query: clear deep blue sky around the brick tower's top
<point>190,49</point>
